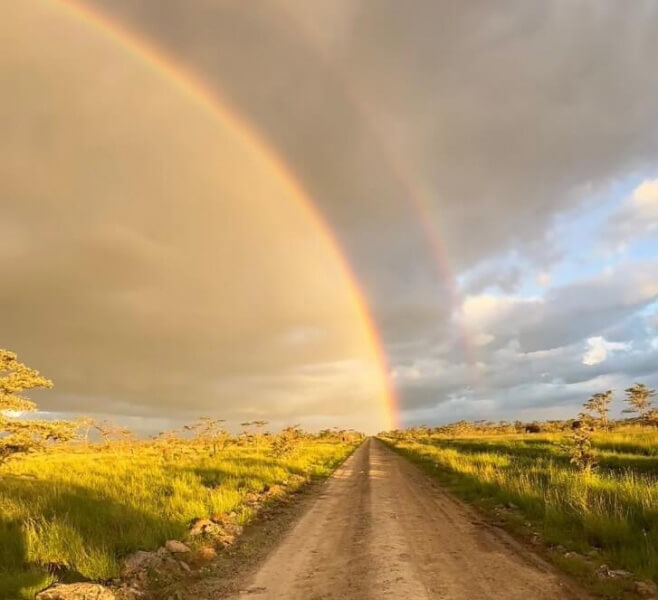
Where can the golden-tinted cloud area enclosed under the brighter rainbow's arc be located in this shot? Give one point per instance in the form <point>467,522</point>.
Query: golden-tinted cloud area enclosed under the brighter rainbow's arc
<point>160,265</point>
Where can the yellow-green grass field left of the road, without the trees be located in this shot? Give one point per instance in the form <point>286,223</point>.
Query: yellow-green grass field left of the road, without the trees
<point>74,514</point>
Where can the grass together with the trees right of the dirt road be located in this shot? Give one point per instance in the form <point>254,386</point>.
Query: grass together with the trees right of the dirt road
<point>586,488</point>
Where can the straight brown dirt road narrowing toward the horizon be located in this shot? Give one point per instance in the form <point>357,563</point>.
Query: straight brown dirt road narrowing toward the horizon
<point>383,529</point>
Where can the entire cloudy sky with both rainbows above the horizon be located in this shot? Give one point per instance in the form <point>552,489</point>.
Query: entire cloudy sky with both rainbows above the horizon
<point>314,211</point>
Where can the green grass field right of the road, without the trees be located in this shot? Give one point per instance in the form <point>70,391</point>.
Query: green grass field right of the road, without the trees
<point>608,517</point>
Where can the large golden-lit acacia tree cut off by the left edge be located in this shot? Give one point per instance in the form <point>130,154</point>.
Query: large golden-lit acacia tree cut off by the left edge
<point>20,435</point>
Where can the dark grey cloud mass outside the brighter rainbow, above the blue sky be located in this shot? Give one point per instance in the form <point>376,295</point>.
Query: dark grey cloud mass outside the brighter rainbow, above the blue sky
<point>494,135</point>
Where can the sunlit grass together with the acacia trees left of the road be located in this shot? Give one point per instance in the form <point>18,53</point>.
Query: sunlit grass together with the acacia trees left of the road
<point>78,497</point>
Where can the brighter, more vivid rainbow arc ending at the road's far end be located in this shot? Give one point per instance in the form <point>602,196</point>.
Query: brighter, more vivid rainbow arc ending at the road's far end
<point>218,108</point>
